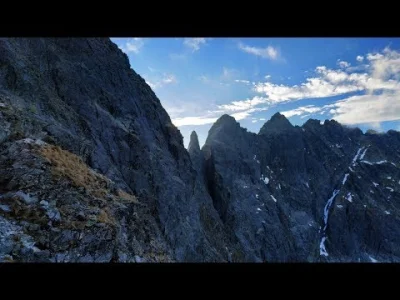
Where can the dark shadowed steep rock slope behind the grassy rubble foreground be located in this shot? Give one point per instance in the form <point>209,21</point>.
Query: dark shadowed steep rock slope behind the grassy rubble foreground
<point>81,94</point>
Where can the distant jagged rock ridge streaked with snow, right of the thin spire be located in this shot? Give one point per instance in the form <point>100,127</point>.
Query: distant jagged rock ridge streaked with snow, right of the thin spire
<point>311,193</point>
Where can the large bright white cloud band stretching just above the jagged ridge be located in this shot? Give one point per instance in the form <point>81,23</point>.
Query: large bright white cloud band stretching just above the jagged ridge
<point>379,82</point>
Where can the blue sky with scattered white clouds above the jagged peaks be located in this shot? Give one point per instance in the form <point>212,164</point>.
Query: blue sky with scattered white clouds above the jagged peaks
<point>355,81</point>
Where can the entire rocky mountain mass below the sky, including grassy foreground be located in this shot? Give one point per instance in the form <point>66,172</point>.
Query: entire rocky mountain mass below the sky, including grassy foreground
<point>93,170</point>
